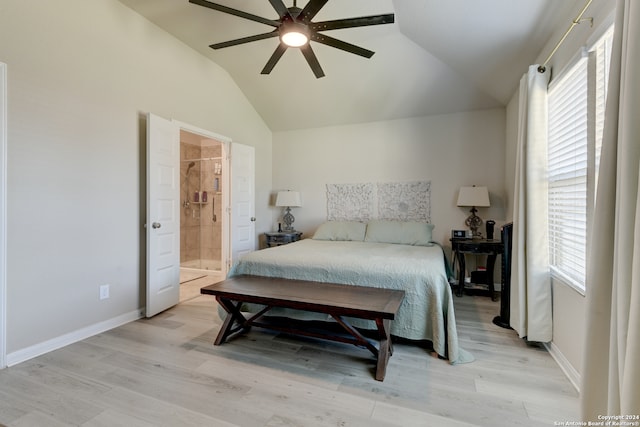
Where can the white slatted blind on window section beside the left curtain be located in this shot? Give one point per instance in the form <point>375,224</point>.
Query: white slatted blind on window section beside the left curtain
<point>567,174</point>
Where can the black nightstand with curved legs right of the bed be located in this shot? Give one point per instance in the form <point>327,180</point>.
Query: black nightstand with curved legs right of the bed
<point>491,248</point>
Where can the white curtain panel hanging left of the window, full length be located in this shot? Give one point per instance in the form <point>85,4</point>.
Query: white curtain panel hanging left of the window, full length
<point>530,279</point>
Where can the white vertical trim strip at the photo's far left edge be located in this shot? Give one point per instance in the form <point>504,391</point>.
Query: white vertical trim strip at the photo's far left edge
<point>3,215</point>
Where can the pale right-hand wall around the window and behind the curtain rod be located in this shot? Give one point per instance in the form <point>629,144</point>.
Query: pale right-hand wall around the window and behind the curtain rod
<point>568,305</point>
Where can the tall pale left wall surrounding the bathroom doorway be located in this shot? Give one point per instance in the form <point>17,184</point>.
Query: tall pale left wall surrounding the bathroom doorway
<point>81,77</point>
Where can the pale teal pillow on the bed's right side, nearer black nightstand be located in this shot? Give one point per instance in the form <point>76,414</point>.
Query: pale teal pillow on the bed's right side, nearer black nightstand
<point>401,232</point>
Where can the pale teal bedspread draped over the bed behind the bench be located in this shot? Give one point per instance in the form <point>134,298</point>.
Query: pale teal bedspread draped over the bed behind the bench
<point>427,311</point>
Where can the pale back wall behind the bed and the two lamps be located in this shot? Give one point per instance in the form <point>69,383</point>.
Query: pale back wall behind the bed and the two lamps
<point>448,150</point>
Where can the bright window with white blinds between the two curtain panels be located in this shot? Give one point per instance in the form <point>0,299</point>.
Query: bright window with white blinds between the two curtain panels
<point>576,118</point>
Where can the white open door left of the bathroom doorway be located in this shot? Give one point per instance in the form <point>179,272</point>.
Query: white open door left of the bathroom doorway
<point>163,216</point>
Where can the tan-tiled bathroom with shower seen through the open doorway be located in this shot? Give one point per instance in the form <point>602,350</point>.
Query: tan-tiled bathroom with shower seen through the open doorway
<point>201,211</point>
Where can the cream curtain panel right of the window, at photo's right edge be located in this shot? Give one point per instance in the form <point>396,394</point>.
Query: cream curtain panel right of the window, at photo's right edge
<point>611,368</point>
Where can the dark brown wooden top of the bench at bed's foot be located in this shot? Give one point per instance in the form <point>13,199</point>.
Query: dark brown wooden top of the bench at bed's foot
<point>332,298</point>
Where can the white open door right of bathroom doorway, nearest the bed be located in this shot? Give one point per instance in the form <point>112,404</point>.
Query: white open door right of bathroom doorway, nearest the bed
<point>243,234</point>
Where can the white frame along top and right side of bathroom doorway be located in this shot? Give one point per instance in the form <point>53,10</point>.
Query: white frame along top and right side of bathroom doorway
<point>226,187</point>
